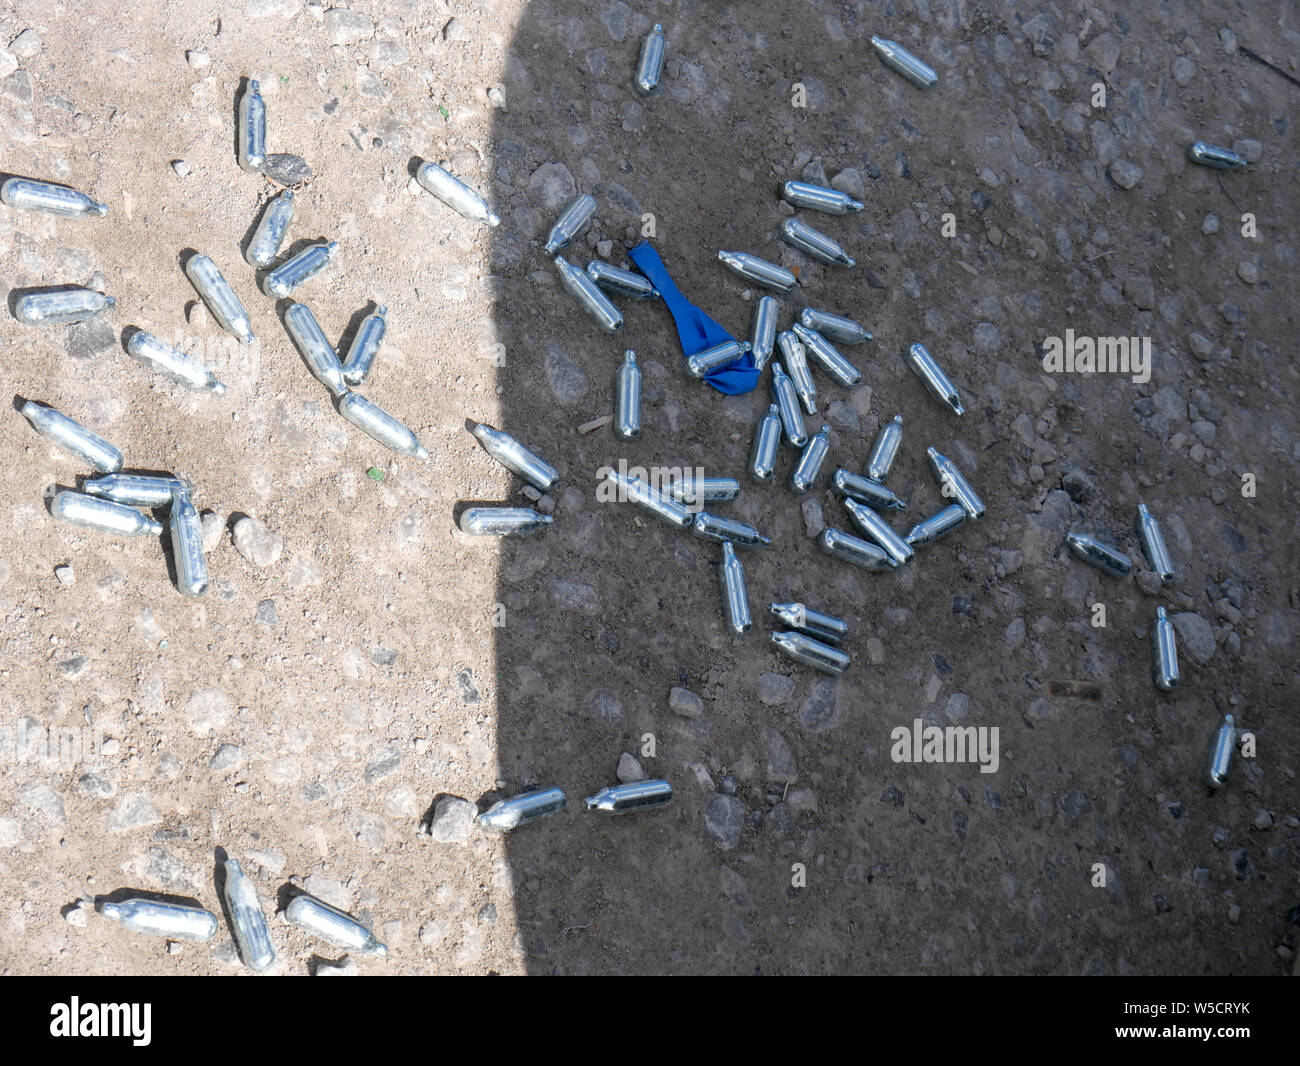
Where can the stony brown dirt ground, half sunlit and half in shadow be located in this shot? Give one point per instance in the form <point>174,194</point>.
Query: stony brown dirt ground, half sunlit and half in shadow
<point>310,712</point>
